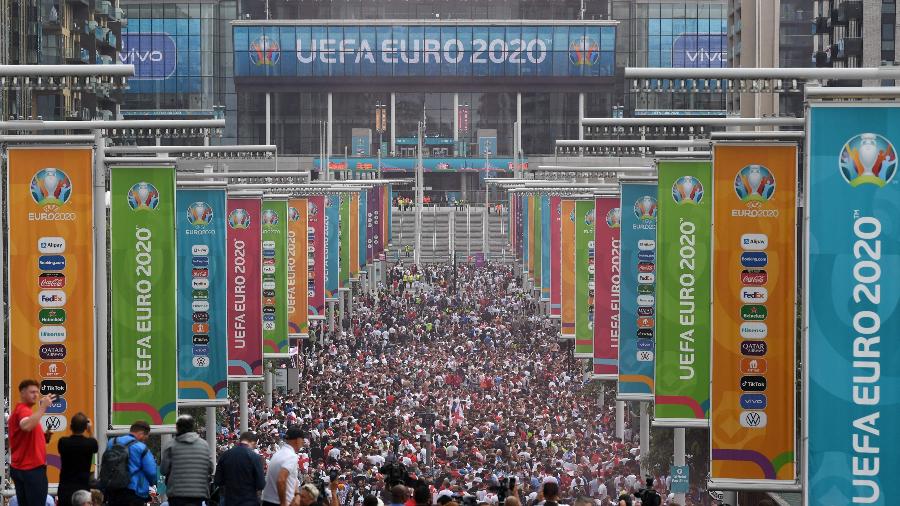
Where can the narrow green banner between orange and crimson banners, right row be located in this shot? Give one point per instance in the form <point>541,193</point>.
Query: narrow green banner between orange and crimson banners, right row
<point>584,279</point>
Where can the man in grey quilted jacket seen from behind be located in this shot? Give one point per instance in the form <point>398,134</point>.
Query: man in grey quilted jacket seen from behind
<point>187,465</point>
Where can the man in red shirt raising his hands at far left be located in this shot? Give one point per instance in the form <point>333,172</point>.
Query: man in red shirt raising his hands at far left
<point>28,445</point>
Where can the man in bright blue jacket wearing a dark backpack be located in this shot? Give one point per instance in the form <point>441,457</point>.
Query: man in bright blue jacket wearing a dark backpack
<point>128,469</point>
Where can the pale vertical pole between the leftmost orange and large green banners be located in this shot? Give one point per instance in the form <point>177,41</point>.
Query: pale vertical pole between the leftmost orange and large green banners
<point>101,379</point>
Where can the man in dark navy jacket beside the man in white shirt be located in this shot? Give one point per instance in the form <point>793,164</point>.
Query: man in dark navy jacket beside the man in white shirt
<point>239,473</point>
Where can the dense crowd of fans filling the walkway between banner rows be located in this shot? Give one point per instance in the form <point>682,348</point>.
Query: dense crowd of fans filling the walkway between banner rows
<point>454,382</point>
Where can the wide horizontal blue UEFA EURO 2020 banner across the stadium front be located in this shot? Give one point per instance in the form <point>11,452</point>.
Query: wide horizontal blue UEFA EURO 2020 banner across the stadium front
<point>433,50</point>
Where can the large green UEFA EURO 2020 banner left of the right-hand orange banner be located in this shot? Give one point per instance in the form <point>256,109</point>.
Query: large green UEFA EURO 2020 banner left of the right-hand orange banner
<point>683,293</point>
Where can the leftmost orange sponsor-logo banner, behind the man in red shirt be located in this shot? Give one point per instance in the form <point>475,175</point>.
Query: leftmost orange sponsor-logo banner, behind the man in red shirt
<point>50,212</point>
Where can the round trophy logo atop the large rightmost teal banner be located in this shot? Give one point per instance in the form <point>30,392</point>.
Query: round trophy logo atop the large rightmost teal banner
<point>868,159</point>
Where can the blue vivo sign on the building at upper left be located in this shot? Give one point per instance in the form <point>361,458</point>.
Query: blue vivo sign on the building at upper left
<point>154,55</point>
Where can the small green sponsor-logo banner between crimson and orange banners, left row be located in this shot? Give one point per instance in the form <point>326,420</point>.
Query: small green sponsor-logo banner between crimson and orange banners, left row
<point>274,282</point>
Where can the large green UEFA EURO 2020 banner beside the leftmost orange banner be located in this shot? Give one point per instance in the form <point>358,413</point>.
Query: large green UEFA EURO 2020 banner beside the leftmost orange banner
<point>143,268</point>
